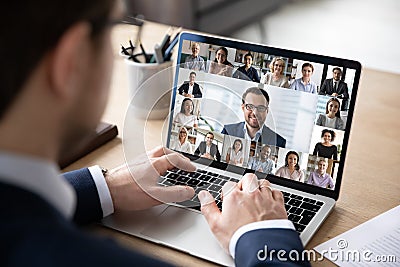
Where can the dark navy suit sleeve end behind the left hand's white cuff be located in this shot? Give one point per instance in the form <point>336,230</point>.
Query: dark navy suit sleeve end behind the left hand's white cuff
<point>88,207</point>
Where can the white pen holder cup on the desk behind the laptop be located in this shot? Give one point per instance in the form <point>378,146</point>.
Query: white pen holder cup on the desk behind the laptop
<point>150,87</point>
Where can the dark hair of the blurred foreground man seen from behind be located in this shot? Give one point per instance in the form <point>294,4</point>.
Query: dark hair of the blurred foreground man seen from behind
<point>33,30</point>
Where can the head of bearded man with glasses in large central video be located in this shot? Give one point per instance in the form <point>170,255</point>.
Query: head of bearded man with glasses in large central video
<point>255,104</point>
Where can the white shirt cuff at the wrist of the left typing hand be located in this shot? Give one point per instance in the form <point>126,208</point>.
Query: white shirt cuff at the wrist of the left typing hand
<point>102,188</point>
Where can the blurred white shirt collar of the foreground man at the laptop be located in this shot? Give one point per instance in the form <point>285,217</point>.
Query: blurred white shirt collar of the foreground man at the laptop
<point>39,176</point>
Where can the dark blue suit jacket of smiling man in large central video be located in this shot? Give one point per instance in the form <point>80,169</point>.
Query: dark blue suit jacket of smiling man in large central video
<point>268,136</point>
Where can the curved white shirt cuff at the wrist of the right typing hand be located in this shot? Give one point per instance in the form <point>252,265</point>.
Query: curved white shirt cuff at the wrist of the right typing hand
<point>281,224</point>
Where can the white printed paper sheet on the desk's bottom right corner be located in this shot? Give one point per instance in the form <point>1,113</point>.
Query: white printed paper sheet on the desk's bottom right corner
<point>373,243</point>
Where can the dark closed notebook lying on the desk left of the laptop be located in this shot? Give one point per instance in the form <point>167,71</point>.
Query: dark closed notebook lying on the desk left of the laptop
<point>103,133</point>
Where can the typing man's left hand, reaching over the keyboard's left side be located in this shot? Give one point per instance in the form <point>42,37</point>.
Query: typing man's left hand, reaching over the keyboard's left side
<point>134,186</point>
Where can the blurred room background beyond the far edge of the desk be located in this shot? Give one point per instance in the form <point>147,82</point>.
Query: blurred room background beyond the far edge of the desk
<point>363,30</point>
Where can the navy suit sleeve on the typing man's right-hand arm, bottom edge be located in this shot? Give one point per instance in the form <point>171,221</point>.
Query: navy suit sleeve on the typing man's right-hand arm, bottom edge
<point>261,247</point>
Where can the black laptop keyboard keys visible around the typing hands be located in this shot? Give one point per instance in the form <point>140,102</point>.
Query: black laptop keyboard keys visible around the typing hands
<point>300,210</point>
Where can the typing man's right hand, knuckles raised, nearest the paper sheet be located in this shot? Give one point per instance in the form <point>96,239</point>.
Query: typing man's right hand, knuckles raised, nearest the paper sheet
<point>243,203</point>
